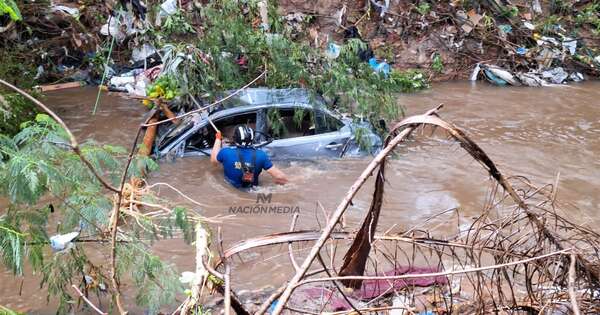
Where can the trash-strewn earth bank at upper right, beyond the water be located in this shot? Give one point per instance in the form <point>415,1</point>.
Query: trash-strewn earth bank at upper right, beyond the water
<point>533,43</point>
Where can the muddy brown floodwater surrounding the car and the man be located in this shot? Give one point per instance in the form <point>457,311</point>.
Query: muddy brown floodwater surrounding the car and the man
<point>535,132</point>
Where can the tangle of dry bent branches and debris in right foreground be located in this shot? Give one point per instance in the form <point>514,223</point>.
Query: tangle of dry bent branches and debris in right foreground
<point>521,253</point>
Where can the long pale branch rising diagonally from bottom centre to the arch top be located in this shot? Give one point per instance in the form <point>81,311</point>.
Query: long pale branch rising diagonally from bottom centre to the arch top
<point>335,217</point>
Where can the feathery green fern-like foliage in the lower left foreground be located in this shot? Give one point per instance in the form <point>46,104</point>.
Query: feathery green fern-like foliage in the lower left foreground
<point>37,164</point>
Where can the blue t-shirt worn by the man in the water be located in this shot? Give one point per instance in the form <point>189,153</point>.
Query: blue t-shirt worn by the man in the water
<point>232,168</point>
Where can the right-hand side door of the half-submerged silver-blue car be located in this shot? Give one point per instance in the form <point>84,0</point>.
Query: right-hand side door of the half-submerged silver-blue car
<point>325,138</point>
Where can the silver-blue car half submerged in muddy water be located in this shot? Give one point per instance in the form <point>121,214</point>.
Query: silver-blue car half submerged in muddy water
<point>288,123</point>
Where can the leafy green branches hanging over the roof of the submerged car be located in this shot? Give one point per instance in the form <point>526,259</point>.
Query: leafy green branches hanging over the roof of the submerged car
<point>231,53</point>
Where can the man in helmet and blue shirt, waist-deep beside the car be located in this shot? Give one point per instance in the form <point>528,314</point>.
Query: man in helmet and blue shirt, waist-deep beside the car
<point>243,163</point>
